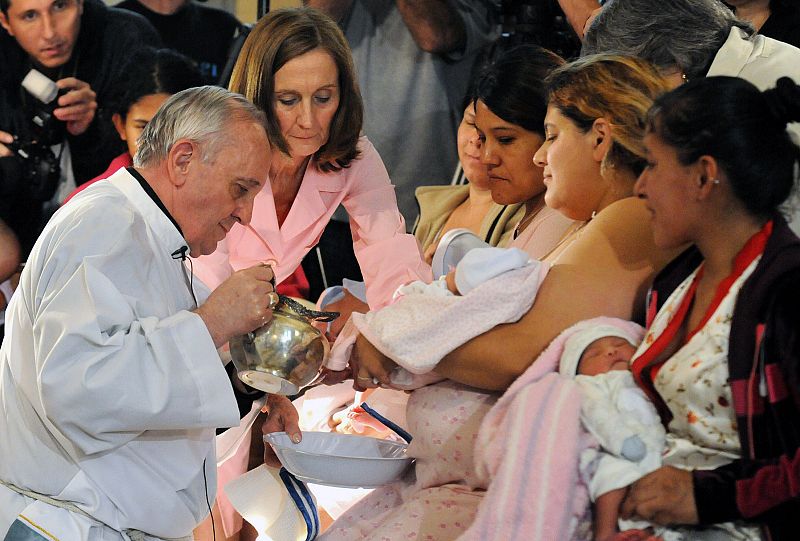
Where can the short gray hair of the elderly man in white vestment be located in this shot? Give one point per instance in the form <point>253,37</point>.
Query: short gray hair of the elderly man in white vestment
<point>199,114</point>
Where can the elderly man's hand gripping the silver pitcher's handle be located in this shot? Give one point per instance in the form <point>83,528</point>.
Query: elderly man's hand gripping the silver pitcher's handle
<point>240,304</point>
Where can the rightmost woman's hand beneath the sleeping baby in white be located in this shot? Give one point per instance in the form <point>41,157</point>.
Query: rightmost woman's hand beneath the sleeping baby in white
<point>664,497</point>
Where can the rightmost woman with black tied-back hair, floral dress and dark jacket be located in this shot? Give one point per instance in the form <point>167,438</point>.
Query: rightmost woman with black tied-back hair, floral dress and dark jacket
<point>722,353</point>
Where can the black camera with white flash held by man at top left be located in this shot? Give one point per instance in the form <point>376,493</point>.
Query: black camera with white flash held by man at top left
<point>40,172</point>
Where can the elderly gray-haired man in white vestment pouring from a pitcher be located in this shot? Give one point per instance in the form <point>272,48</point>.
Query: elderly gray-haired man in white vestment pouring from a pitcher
<point>111,386</point>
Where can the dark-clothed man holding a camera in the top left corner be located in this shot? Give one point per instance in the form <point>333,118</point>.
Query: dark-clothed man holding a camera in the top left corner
<point>81,45</point>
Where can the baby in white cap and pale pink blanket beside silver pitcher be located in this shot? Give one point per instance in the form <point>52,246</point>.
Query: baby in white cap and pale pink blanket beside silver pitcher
<point>428,321</point>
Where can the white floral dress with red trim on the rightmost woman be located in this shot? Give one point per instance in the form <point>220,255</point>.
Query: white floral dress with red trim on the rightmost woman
<point>693,386</point>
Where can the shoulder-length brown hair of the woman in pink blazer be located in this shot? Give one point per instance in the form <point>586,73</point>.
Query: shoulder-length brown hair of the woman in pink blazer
<point>277,38</point>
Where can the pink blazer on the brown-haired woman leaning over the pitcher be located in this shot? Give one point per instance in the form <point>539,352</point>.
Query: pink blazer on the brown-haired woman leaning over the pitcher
<point>387,255</point>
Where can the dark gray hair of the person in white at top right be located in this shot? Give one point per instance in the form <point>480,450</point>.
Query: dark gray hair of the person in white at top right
<point>683,34</point>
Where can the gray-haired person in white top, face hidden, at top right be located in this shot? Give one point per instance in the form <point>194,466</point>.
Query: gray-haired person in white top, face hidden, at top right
<point>689,39</point>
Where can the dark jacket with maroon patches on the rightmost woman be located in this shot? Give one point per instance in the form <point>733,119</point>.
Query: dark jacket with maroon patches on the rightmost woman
<point>763,350</point>
